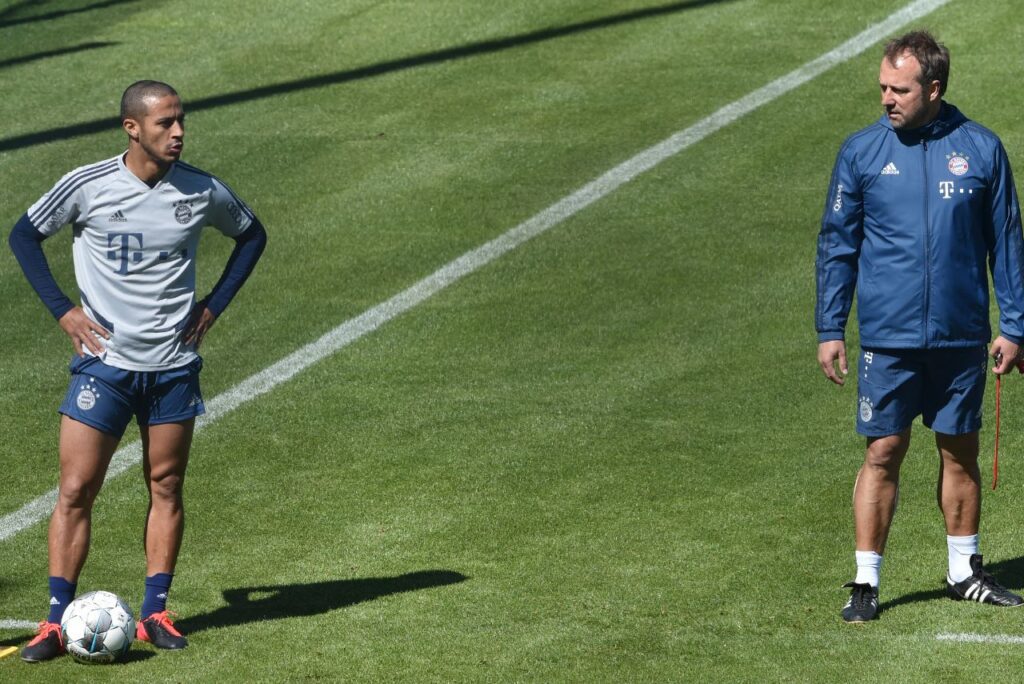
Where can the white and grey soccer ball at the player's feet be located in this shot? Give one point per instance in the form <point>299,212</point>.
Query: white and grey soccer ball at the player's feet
<point>98,628</point>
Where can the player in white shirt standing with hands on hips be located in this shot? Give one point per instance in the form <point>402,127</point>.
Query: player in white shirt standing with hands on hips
<point>137,221</point>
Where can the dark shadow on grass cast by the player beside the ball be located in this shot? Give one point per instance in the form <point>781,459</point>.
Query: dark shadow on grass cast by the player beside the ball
<point>252,605</point>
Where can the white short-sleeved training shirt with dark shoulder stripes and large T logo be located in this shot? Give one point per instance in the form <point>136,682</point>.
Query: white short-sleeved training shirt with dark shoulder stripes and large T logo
<point>135,250</point>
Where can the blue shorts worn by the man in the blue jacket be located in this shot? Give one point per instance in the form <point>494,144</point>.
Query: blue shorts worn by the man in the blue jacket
<point>946,388</point>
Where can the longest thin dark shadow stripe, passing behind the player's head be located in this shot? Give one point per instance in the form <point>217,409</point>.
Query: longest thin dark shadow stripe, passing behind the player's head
<point>360,73</point>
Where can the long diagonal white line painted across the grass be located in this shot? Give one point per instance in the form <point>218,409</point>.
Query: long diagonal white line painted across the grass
<point>373,319</point>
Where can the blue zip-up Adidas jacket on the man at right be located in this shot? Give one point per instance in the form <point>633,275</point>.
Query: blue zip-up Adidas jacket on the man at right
<point>911,221</point>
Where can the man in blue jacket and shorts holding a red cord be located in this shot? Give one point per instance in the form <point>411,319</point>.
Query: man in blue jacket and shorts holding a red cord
<point>919,203</point>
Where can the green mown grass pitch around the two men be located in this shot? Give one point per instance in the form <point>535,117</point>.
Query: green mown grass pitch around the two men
<point>608,456</point>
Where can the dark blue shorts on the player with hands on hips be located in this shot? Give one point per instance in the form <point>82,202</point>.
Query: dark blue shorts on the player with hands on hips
<point>107,398</point>
